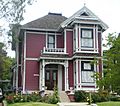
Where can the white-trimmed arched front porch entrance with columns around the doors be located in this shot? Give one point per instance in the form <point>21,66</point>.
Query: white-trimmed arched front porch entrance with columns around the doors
<point>53,73</point>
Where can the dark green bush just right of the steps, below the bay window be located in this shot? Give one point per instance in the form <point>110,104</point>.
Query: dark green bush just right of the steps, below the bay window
<point>80,96</point>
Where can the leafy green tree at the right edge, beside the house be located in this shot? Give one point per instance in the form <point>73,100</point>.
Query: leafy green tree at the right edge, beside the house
<point>111,58</point>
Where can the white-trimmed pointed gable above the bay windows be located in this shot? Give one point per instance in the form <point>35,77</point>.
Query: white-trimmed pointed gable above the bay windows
<point>84,14</point>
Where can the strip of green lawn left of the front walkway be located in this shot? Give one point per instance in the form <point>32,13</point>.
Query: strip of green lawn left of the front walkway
<point>31,104</point>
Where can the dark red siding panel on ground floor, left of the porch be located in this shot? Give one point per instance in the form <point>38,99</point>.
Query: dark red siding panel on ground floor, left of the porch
<point>31,81</point>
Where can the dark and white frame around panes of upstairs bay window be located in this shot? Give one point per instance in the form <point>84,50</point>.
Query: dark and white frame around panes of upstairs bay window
<point>87,38</point>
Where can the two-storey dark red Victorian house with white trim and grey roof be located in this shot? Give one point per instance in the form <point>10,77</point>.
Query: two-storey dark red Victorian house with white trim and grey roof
<point>55,50</point>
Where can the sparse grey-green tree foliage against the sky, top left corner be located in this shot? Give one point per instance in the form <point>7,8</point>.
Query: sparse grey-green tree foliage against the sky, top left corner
<point>12,10</point>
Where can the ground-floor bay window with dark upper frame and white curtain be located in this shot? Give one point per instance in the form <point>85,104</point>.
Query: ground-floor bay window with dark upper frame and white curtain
<point>87,70</point>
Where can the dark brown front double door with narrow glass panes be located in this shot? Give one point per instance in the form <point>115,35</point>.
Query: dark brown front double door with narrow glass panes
<point>51,79</point>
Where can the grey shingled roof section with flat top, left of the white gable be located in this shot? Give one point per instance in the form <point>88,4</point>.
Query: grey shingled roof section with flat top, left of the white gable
<point>50,21</point>
